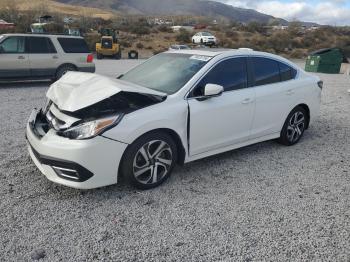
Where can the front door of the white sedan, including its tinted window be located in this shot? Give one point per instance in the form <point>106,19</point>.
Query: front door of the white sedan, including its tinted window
<point>225,120</point>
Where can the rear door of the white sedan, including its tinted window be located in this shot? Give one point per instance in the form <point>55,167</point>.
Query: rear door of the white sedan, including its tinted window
<point>274,89</point>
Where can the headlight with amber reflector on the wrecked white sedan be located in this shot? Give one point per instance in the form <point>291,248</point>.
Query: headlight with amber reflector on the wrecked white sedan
<point>92,128</point>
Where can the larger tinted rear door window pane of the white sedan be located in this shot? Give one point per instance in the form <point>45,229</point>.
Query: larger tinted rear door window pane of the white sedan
<point>266,71</point>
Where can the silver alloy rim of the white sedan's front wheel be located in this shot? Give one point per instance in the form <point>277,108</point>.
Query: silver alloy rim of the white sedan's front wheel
<point>152,162</point>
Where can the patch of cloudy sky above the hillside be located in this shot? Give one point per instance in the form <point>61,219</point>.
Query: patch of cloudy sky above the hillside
<point>330,12</point>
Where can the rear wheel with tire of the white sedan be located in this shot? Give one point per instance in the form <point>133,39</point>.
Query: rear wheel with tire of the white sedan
<point>294,127</point>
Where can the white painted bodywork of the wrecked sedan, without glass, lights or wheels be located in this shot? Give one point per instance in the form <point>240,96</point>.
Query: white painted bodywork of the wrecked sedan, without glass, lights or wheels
<point>234,119</point>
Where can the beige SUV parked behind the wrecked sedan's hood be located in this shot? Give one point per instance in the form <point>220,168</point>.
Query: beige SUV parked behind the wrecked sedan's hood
<point>39,56</point>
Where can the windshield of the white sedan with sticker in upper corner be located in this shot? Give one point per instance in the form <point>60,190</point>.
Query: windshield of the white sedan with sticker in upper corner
<point>166,72</point>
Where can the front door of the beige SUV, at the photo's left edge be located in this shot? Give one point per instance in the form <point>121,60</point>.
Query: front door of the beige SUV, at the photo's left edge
<point>14,61</point>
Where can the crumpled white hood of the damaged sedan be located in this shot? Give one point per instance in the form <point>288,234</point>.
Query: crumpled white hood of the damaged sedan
<point>76,90</point>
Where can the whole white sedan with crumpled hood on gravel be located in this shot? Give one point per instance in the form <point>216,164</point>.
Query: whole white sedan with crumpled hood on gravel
<point>176,107</point>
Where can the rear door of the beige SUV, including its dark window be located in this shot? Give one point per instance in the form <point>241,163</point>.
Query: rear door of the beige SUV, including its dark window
<point>43,56</point>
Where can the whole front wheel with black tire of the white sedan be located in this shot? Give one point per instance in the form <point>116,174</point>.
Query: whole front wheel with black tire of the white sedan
<point>149,161</point>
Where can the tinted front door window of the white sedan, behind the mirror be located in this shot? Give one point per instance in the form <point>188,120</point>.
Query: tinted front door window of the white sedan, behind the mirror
<point>231,74</point>
